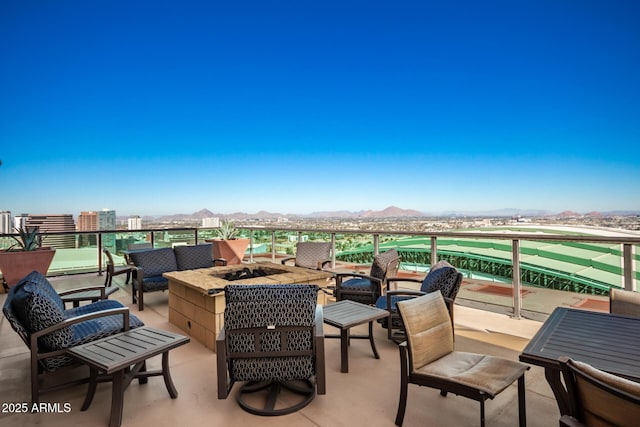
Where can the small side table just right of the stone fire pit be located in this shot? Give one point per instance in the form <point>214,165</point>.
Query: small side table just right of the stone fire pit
<point>346,314</point>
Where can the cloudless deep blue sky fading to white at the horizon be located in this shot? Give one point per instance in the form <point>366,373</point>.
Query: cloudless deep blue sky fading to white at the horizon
<point>160,107</point>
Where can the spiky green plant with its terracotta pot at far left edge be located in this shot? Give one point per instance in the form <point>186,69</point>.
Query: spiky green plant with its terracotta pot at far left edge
<point>24,256</point>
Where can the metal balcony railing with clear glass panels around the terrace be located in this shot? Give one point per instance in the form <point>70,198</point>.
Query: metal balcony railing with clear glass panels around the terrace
<point>503,257</point>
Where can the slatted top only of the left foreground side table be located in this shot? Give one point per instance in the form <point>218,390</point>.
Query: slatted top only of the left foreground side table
<point>119,351</point>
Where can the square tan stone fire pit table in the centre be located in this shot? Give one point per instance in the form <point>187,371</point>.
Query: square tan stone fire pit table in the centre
<point>196,297</point>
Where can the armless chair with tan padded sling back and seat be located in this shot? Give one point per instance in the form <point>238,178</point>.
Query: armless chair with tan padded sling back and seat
<point>428,359</point>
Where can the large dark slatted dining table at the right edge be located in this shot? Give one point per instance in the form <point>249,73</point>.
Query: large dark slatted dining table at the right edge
<point>608,342</point>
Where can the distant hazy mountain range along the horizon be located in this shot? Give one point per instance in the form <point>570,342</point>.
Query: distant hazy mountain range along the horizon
<point>389,212</point>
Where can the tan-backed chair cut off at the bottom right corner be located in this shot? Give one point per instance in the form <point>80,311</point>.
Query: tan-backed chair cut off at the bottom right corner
<point>597,398</point>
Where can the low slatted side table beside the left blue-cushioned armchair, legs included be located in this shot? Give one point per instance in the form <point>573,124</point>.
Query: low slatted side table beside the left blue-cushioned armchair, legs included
<point>115,356</point>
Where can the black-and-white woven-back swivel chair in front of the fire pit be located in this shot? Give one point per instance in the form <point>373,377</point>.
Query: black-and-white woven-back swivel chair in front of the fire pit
<point>272,340</point>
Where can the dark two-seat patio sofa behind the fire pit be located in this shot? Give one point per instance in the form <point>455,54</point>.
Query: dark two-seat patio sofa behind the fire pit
<point>152,264</point>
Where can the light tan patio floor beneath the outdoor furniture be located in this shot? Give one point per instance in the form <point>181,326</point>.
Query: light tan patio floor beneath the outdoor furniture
<point>366,396</point>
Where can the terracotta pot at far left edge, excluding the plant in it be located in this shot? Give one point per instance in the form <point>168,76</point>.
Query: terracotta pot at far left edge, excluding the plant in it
<point>16,265</point>
